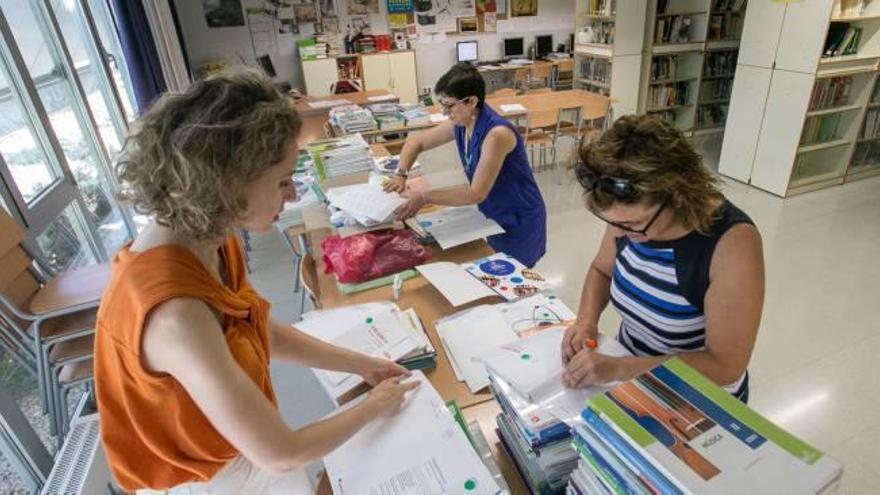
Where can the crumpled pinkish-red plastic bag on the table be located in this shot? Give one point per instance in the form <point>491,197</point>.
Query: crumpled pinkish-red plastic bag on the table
<point>372,255</point>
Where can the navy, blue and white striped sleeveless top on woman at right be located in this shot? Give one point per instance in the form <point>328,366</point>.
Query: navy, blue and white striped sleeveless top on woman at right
<point>658,287</point>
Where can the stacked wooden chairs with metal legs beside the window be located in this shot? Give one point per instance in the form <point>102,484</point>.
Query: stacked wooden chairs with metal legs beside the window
<point>47,323</point>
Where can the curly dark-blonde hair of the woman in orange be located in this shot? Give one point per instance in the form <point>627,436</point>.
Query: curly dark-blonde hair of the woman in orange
<point>187,159</point>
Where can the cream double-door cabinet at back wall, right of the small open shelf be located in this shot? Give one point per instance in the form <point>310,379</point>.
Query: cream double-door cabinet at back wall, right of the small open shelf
<point>395,72</point>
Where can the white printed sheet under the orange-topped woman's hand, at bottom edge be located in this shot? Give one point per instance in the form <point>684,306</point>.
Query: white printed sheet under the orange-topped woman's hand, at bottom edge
<point>419,451</point>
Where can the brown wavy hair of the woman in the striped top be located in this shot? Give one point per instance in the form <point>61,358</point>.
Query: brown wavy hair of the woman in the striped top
<point>660,163</point>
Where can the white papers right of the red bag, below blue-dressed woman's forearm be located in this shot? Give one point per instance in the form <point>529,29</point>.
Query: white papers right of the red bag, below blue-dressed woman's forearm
<point>458,225</point>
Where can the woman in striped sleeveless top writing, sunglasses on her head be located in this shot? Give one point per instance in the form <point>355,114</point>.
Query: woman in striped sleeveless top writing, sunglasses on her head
<point>681,264</point>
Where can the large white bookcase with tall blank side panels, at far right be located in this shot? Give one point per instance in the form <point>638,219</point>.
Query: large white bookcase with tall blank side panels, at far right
<point>803,110</point>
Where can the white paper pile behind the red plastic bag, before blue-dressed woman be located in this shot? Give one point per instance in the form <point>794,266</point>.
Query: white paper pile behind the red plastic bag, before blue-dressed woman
<point>366,203</point>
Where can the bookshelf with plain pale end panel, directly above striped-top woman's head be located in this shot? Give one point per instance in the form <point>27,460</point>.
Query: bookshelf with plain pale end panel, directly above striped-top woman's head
<point>608,50</point>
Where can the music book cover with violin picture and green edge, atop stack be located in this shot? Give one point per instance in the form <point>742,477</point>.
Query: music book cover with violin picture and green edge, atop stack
<point>706,441</point>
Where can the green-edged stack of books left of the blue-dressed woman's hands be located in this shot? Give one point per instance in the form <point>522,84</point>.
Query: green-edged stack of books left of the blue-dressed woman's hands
<point>340,156</point>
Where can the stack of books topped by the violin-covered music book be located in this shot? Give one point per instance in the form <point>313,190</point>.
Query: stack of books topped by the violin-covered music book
<point>672,431</point>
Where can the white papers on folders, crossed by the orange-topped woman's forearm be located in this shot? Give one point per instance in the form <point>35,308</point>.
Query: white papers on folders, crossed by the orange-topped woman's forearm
<point>376,329</point>
